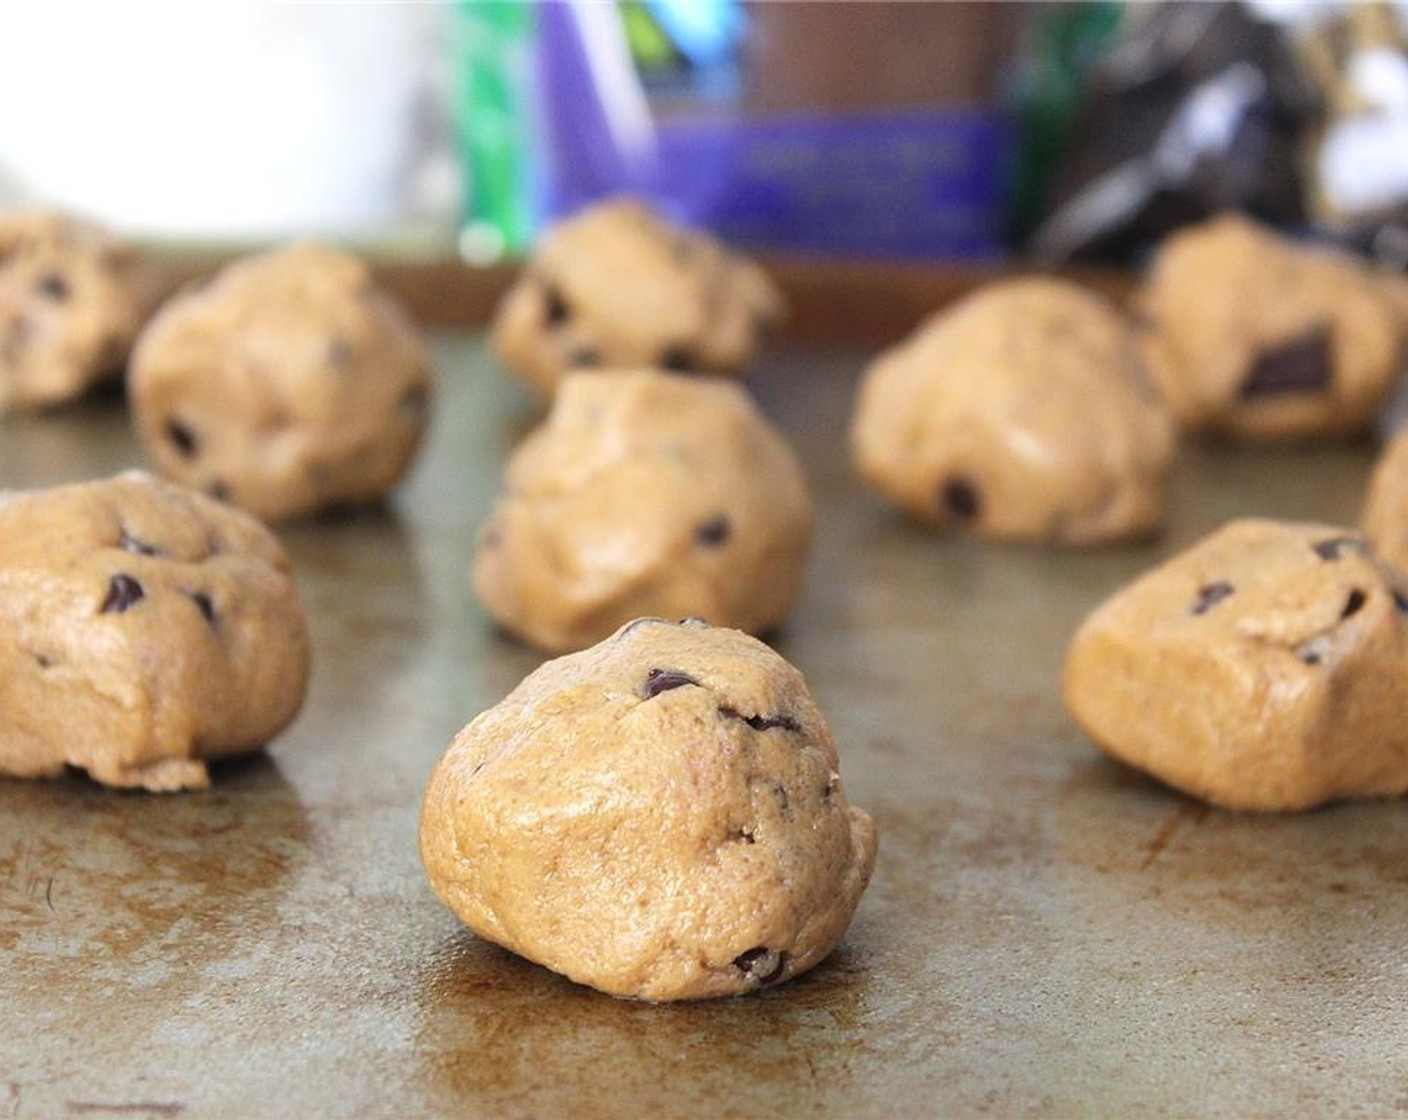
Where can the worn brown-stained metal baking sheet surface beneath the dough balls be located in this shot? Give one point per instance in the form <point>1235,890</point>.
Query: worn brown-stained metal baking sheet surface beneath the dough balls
<point>1047,933</point>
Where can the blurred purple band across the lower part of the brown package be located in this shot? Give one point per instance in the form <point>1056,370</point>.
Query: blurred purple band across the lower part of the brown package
<point>913,185</point>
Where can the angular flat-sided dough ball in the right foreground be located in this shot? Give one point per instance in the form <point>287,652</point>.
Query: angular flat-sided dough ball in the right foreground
<point>1265,668</point>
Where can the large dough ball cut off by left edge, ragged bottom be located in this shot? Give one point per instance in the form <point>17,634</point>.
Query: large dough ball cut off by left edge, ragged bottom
<point>144,629</point>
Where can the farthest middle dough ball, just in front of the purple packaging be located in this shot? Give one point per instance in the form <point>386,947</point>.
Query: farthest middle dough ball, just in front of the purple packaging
<point>619,287</point>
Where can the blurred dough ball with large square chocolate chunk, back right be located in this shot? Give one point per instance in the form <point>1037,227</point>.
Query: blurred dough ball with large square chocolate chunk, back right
<point>1264,339</point>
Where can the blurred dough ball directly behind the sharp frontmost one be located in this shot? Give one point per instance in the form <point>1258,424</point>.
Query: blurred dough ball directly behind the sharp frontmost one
<point>646,494</point>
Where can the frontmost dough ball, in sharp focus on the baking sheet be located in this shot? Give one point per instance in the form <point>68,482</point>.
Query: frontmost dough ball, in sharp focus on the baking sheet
<point>660,818</point>
